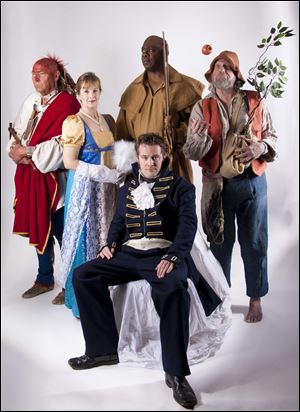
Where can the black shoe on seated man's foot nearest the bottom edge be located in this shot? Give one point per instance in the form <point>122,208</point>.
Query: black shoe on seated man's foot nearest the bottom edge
<point>182,391</point>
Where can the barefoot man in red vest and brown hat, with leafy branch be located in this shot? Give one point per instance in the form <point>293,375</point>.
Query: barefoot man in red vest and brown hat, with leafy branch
<point>230,133</point>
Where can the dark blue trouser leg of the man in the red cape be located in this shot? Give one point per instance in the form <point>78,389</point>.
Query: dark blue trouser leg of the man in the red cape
<point>46,260</point>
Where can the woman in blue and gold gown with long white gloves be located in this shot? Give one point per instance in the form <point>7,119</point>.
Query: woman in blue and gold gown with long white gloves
<point>88,140</point>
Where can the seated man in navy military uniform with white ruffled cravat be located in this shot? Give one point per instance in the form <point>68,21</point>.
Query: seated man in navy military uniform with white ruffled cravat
<point>150,238</point>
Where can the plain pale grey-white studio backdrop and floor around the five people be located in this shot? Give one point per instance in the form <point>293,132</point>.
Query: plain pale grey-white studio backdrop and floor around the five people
<point>256,369</point>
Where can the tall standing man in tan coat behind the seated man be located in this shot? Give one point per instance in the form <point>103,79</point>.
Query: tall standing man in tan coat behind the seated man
<point>143,105</point>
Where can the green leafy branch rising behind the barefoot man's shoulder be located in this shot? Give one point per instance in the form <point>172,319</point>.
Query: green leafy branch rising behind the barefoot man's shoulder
<point>267,76</point>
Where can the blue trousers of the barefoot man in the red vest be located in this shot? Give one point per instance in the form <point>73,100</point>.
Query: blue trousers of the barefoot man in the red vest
<point>245,200</point>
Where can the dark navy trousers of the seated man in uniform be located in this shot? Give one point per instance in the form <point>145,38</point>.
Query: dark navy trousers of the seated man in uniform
<point>170,296</point>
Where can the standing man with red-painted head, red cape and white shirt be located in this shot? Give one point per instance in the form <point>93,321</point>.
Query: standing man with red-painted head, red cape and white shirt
<point>40,176</point>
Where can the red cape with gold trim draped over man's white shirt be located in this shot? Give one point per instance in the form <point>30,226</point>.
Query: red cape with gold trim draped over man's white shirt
<point>37,193</point>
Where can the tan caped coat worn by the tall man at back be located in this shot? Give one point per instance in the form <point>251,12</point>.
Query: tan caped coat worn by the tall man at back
<point>142,111</point>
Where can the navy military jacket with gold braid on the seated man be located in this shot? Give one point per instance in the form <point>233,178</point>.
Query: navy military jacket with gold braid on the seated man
<point>173,216</point>
